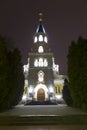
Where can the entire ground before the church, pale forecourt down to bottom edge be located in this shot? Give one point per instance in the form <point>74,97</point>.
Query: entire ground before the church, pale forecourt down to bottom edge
<point>43,117</point>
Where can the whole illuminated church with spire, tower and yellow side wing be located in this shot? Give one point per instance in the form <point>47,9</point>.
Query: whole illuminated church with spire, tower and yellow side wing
<point>42,79</point>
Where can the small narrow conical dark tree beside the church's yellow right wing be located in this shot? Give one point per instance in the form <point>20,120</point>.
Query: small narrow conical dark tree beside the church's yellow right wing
<point>66,93</point>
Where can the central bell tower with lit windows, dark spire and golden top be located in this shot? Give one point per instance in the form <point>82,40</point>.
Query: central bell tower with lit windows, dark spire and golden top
<point>40,74</point>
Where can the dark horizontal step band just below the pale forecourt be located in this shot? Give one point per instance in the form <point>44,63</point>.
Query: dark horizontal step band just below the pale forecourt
<point>43,120</point>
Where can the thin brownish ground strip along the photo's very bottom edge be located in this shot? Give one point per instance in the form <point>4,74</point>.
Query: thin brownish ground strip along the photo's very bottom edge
<point>48,127</point>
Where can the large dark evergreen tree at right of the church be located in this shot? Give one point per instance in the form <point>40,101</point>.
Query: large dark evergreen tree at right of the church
<point>77,72</point>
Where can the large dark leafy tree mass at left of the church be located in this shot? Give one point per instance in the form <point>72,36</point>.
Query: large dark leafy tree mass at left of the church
<point>11,75</point>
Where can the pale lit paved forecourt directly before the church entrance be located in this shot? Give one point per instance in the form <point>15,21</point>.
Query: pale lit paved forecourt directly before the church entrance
<point>59,110</point>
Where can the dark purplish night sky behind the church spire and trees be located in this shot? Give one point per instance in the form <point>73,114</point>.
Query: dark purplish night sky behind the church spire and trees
<point>64,21</point>
